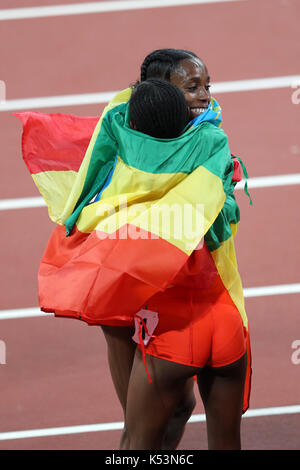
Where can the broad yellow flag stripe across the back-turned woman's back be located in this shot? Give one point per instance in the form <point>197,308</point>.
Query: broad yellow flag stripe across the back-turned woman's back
<point>177,207</point>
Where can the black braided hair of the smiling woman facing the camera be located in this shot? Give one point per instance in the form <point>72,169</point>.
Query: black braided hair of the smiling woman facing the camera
<point>162,62</point>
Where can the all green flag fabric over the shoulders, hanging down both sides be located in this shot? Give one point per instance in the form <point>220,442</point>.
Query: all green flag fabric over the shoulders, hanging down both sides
<point>204,144</point>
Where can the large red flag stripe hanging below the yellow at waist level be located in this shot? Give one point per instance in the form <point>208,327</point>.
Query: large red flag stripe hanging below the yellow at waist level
<point>104,281</point>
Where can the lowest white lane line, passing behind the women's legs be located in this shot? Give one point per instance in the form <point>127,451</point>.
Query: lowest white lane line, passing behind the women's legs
<point>196,418</point>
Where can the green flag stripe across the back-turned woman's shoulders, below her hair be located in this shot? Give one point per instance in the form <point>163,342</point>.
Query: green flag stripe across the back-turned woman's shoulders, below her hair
<point>182,154</point>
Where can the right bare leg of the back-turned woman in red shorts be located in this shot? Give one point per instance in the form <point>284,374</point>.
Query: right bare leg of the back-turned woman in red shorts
<point>221,389</point>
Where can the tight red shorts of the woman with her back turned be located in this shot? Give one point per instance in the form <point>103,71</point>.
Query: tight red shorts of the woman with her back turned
<point>197,327</point>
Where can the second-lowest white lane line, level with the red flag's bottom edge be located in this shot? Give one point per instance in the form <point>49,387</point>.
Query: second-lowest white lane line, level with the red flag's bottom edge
<point>262,291</point>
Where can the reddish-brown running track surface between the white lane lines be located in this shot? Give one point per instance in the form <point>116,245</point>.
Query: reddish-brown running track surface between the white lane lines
<point>56,371</point>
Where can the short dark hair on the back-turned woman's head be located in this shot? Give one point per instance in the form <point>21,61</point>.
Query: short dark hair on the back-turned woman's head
<point>158,108</point>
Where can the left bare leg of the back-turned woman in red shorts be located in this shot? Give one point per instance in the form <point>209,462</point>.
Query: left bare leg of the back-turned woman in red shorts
<point>151,406</point>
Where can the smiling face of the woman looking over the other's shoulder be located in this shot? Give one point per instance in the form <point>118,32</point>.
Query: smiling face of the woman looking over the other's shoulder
<point>193,79</point>
